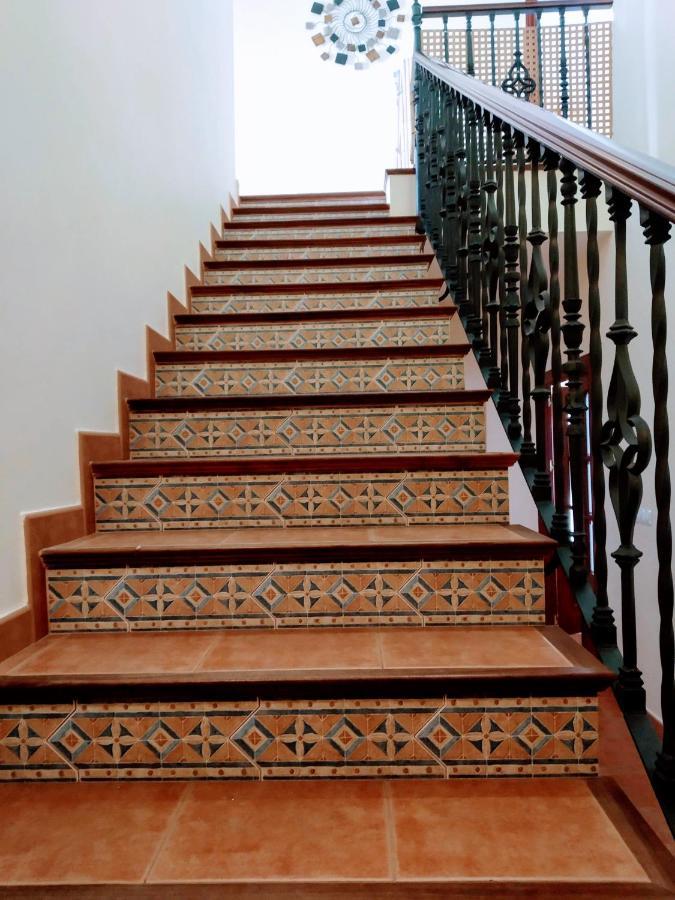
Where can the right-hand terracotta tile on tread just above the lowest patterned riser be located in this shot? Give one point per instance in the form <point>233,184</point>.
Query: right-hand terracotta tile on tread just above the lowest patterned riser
<point>410,648</point>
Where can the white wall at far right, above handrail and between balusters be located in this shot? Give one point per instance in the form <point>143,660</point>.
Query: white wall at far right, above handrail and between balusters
<point>644,119</point>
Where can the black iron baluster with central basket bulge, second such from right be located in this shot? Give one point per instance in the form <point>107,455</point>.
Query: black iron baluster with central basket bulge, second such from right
<point>537,317</point>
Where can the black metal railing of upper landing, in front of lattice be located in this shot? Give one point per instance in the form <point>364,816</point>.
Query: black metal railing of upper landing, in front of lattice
<point>563,67</point>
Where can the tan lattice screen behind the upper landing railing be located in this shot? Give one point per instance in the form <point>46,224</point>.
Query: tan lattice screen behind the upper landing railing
<point>505,42</point>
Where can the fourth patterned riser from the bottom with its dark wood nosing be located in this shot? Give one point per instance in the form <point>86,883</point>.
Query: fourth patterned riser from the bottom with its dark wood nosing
<point>342,424</point>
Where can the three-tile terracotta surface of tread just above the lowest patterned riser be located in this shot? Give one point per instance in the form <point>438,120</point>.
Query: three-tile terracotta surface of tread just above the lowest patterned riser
<point>331,649</point>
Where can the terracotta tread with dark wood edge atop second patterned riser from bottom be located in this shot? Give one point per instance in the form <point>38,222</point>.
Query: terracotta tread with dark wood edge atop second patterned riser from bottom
<point>411,538</point>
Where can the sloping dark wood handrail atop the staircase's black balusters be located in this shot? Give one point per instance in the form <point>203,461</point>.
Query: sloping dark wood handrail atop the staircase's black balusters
<point>640,177</point>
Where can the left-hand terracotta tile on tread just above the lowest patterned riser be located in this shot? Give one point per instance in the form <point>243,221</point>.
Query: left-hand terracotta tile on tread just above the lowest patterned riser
<point>116,654</point>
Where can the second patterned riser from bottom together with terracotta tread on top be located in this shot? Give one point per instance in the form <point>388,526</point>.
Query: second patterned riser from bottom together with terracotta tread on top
<point>490,575</point>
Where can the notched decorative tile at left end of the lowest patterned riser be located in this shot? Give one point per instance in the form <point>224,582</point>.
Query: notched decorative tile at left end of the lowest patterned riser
<point>26,753</point>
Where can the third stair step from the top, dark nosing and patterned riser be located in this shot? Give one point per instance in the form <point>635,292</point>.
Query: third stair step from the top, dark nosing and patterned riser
<point>308,228</point>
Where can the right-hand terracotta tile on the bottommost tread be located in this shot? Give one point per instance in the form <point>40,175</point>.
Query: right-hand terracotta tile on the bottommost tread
<point>440,826</point>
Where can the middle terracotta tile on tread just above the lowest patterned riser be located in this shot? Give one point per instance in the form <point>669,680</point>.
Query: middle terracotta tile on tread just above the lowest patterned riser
<point>334,649</point>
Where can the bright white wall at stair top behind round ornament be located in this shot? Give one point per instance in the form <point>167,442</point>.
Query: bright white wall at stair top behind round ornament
<point>304,124</point>
